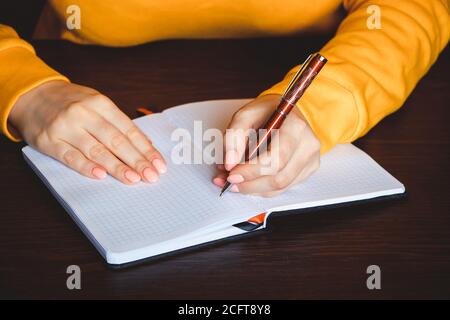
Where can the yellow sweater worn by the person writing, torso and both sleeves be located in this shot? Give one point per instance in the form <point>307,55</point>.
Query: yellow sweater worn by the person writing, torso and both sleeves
<point>370,72</point>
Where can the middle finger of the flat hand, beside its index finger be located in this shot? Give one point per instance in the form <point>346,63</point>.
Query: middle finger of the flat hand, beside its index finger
<point>120,146</point>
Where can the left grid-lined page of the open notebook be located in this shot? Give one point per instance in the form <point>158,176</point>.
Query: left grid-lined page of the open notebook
<point>123,218</point>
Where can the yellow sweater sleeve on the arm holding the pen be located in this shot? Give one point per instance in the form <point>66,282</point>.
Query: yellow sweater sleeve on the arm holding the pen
<point>371,72</point>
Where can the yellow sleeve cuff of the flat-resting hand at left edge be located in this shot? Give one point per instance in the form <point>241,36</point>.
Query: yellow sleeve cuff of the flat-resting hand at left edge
<point>20,71</point>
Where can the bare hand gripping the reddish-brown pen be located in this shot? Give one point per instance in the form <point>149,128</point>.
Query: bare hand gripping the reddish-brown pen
<point>294,158</point>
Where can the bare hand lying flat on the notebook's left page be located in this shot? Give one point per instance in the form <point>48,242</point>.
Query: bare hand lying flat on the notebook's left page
<point>87,132</point>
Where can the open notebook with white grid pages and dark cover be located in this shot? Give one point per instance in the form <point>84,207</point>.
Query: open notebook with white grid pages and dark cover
<point>129,223</point>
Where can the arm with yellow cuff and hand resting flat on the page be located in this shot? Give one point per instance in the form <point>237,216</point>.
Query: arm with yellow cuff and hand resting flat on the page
<point>73,124</point>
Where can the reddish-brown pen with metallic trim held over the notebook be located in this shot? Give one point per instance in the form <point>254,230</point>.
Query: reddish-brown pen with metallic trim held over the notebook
<point>294,91</point>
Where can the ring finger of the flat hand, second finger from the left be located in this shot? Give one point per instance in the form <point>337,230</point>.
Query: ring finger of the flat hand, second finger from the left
<point>99,153</point>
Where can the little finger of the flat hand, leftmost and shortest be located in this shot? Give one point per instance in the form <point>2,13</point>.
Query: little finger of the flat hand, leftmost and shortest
<point>74,159</point>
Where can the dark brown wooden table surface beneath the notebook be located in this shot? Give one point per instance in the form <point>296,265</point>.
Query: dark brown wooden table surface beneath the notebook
<point>320,254</point>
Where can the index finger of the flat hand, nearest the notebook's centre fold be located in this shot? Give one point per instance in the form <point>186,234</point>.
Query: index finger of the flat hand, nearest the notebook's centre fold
<point>111,113</point>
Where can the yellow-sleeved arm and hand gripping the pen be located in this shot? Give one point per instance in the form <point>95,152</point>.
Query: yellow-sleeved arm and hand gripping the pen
<point>369,75</point>
